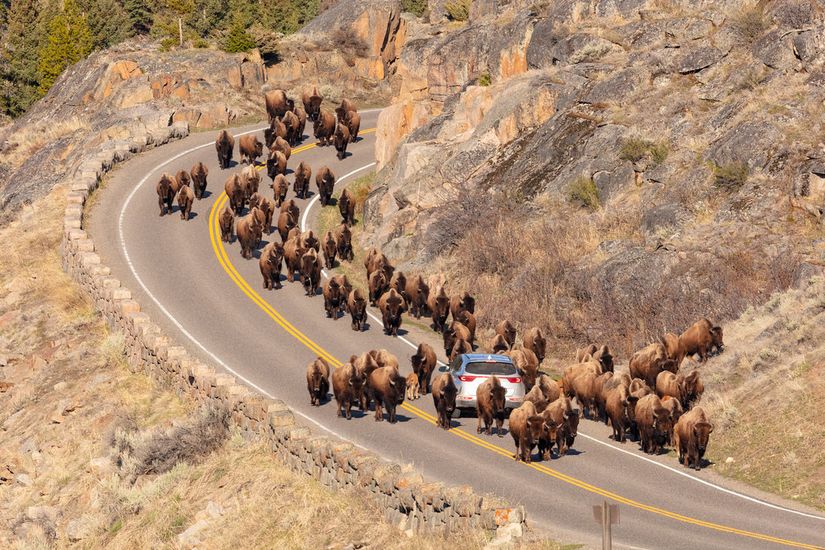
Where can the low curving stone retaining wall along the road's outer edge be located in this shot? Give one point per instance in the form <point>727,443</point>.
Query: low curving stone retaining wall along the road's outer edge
<point>408,500</point>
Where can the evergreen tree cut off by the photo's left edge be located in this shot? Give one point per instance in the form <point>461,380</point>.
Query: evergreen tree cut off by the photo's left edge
<point>18,59</point>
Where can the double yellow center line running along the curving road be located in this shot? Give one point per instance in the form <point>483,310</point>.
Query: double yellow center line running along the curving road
<point>235,276</point>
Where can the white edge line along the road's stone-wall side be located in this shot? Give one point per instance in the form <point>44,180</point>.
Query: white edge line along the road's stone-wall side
<point>175,321</point>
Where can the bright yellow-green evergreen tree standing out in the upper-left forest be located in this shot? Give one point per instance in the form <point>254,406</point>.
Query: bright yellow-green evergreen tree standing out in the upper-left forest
<point>68,40</point>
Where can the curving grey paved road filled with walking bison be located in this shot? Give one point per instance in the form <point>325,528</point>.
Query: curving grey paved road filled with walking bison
<point>211,299</point>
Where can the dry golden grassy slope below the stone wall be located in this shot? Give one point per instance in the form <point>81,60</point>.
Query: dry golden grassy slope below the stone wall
<point>66,391</point>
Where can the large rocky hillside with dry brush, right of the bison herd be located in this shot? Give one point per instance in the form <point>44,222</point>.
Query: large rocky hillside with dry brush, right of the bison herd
<point>611,169</point>
